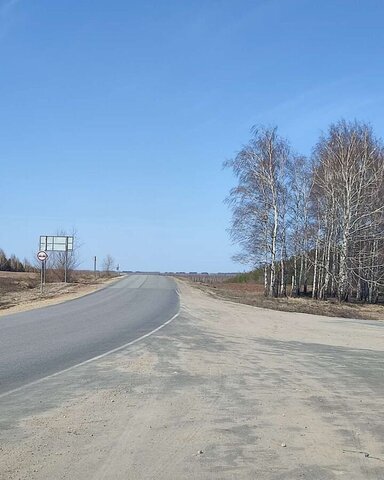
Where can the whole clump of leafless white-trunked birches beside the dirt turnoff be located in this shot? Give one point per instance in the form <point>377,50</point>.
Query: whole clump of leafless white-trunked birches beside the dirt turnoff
<point>314,224</point>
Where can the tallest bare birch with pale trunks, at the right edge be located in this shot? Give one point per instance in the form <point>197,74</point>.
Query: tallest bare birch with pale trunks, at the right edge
<point>349,179</point>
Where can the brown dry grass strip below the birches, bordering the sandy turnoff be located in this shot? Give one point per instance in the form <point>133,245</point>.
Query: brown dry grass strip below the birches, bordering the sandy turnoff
<point>253,294</point>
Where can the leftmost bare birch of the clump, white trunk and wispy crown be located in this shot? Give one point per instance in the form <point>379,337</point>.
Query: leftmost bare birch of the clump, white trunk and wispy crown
<point>258,203</point>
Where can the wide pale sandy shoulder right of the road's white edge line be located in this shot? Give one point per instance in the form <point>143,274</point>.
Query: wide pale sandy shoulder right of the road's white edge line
<point>225,391</point>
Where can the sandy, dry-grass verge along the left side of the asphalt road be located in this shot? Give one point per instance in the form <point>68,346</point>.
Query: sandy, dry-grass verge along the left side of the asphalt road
<point>21,291</point>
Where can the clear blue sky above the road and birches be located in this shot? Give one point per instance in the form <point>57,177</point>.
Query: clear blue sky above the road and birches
<point>116,117</point>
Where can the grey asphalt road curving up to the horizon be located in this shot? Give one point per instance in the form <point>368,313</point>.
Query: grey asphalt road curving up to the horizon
<point>41,342</point>
